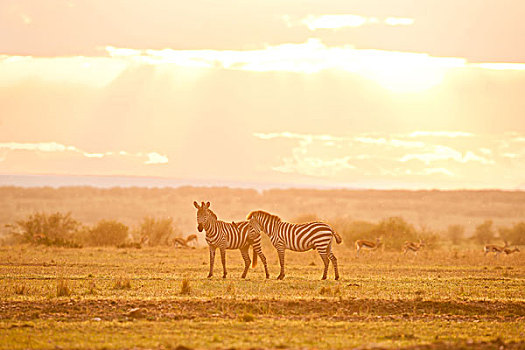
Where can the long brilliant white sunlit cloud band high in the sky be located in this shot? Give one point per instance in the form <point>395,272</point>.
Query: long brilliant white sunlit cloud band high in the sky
<point>396,71</point>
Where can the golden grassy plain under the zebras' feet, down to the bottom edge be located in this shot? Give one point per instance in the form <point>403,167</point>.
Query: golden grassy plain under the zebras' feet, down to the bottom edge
<point>94,298</point>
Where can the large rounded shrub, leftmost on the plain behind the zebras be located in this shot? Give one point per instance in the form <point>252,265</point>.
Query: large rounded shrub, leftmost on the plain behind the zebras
<point>49,229</point>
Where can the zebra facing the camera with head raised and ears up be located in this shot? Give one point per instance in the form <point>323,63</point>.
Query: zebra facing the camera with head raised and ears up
<point>223,235</point>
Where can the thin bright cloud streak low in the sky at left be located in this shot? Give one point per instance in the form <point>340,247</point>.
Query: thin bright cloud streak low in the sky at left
<point>55,147</point>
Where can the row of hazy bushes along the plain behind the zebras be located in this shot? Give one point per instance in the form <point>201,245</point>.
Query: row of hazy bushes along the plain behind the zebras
<point>59,229</point>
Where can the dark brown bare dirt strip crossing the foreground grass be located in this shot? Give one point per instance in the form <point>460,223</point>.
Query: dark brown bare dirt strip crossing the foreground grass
<point>350,310</point>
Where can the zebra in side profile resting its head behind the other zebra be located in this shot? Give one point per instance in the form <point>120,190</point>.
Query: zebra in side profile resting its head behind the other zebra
<point>297,237</point>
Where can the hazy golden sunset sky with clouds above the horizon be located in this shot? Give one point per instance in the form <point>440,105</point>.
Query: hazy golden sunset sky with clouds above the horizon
<point>370,94</point>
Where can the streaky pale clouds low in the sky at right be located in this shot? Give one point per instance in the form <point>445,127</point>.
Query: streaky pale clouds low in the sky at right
<point>439,156</point>
